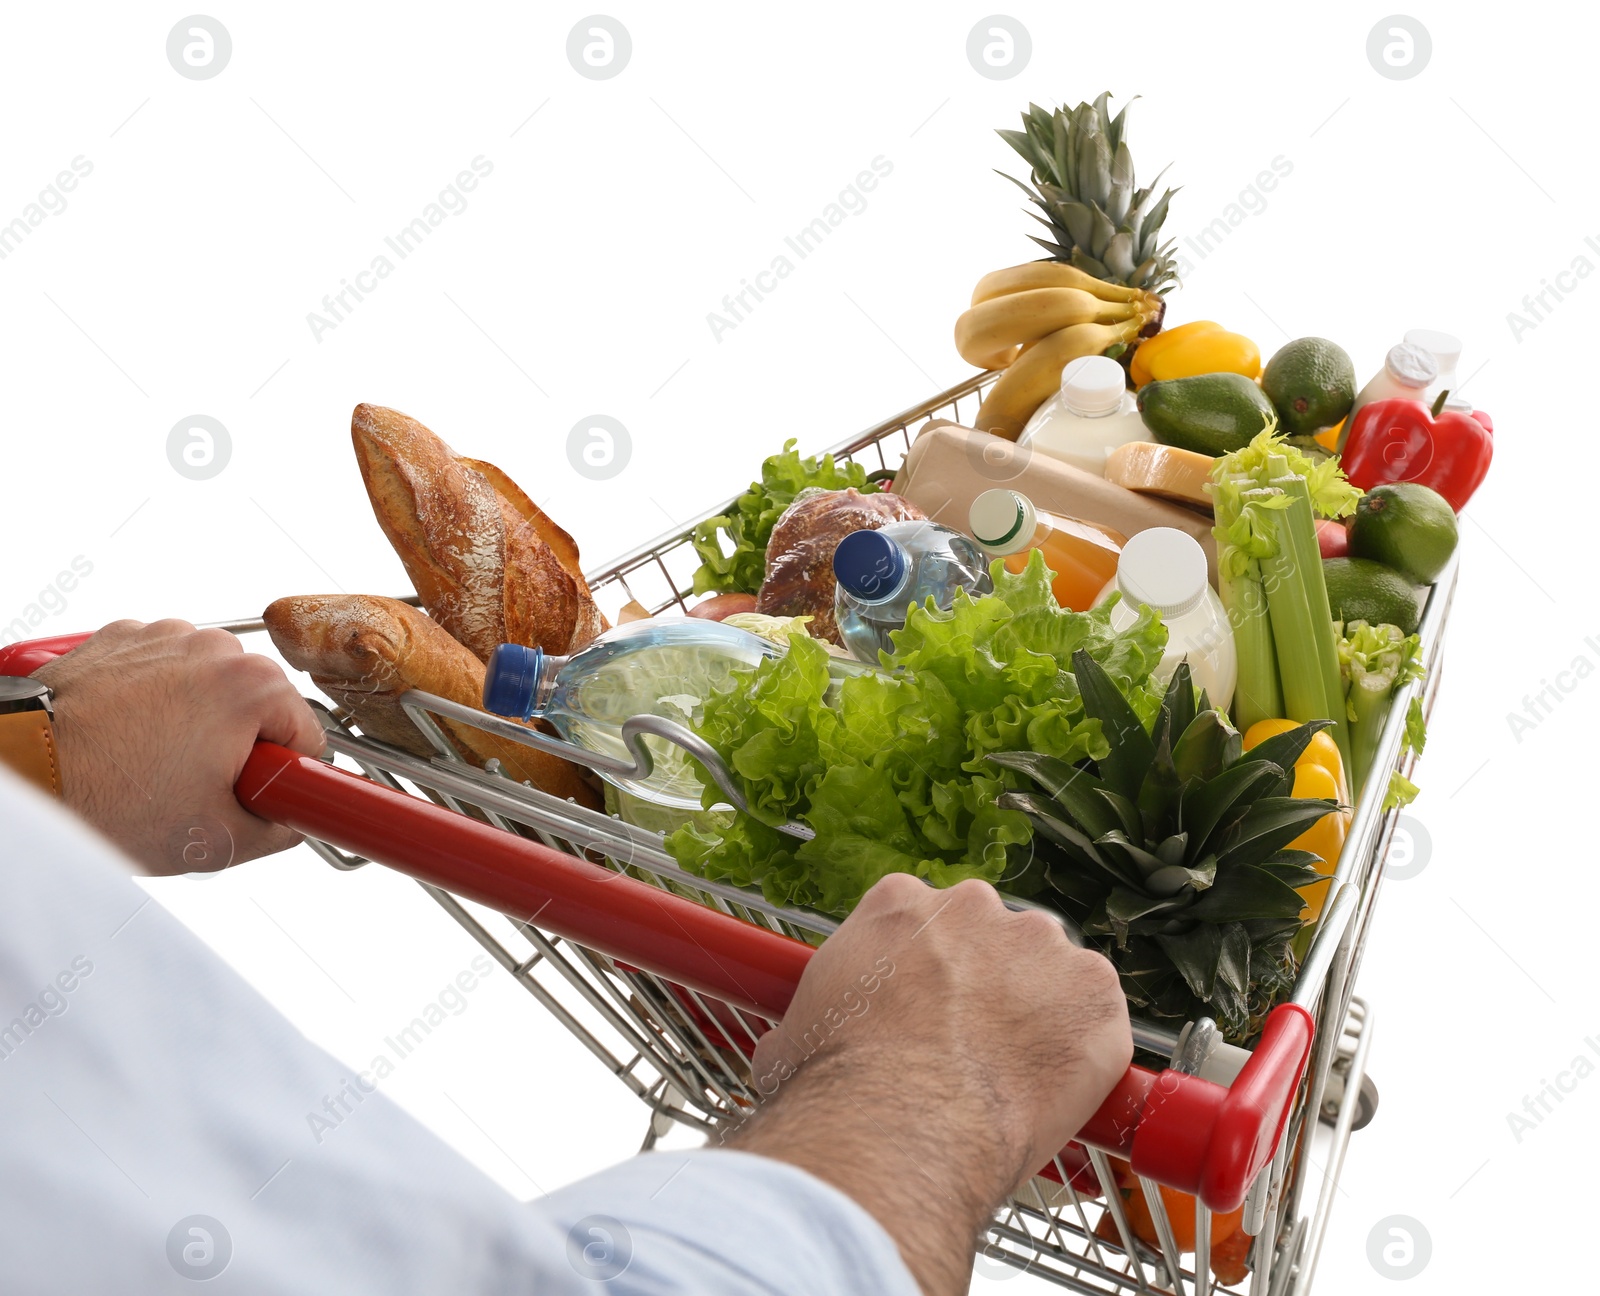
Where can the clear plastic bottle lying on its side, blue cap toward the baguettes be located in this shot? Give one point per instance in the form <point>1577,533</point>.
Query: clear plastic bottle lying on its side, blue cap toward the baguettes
<point>646,668</point>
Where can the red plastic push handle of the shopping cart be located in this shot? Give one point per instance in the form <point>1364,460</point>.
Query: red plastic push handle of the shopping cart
<point>1175,1129</point>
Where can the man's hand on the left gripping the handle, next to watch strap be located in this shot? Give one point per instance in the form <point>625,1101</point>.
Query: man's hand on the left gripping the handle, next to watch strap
<point>154,726</point>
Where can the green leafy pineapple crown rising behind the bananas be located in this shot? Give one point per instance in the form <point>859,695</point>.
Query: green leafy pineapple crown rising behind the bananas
<point>1082,177</point>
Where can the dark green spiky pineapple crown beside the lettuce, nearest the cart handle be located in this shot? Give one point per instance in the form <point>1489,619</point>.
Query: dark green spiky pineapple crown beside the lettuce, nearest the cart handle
<point>1172,852</point>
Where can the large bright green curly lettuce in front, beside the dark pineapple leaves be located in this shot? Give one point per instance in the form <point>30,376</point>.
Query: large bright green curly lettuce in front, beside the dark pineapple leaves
<point>894,775</point>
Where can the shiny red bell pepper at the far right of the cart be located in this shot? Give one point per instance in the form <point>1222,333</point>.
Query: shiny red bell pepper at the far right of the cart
<point>1404,441</point>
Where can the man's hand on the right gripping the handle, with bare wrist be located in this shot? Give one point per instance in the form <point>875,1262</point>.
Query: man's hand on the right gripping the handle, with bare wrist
<point>940,1050</point>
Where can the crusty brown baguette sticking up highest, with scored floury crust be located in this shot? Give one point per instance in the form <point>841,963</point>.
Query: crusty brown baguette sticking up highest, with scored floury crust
<point>489,566</point>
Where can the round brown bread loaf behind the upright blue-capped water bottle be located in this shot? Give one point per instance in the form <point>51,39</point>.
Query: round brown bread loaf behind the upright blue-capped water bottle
<point>801,554</point>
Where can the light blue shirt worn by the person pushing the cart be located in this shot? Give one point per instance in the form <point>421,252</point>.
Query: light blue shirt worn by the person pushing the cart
<point>153,1130</point>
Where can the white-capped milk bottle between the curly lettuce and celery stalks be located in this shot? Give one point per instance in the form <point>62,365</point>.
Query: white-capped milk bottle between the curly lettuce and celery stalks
<point>1166,570</point>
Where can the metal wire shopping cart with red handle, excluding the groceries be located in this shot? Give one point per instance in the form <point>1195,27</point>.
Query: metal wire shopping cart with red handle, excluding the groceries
<point>670,980</point>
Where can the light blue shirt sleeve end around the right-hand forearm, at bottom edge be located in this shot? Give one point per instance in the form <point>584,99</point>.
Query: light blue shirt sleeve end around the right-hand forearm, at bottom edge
<point>722,1223</point>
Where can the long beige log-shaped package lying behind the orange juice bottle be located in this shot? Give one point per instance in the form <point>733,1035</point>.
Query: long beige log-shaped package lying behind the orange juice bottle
<point>950,466</point>
